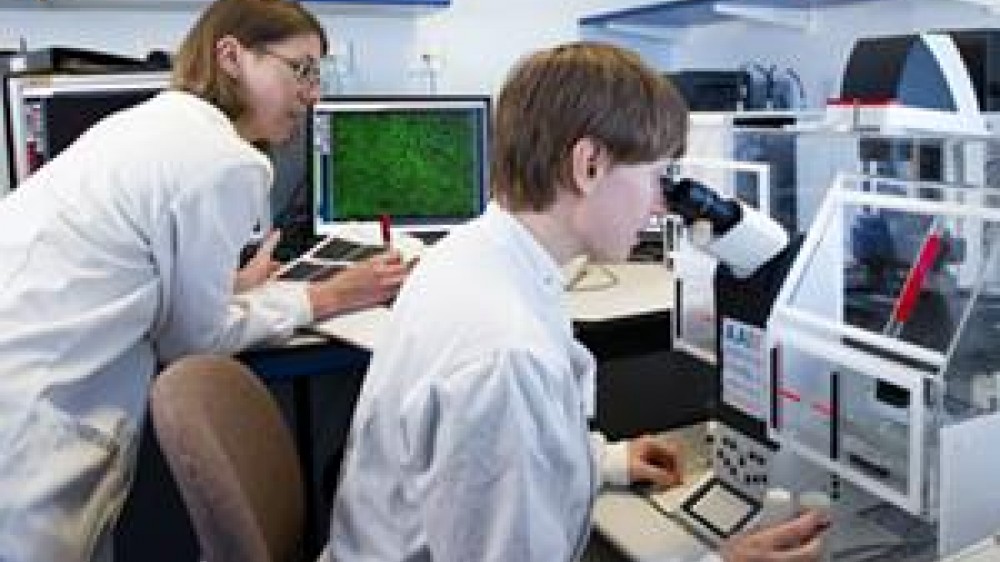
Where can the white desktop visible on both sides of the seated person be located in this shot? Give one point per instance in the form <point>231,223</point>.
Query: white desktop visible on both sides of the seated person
<point>638,288</point>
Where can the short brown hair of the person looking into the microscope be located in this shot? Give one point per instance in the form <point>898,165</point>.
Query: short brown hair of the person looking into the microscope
<point>557,96</point>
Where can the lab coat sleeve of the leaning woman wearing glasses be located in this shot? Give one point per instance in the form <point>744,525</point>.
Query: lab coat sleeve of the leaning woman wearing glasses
<point>209,222</point>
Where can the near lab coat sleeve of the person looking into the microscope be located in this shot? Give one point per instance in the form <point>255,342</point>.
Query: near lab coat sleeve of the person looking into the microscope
<point>507,476</point>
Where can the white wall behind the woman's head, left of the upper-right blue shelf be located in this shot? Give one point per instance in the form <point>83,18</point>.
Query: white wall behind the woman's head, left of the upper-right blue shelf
<point>473,41</point>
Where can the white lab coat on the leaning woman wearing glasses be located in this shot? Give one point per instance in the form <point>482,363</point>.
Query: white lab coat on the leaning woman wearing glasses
<point>116,256</point>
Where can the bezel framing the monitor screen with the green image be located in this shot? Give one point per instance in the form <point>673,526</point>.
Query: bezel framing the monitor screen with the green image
<point>374,103</point>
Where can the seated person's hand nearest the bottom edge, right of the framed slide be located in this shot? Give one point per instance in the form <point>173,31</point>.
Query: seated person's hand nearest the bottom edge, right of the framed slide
<point>797,540</point>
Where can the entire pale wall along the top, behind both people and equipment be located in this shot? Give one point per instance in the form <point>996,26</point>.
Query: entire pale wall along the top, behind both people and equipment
<point>474,42</point>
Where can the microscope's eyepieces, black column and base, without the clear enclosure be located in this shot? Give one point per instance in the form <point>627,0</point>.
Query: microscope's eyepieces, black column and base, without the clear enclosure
<point>754,254</point>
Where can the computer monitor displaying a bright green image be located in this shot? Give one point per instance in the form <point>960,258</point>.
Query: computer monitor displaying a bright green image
<point>422,160</point>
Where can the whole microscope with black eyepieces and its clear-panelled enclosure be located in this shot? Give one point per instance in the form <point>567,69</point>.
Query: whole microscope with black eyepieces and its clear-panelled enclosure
<point>819,405</point>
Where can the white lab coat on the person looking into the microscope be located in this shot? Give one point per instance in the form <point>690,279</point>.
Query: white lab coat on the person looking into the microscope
<point>470,437</point>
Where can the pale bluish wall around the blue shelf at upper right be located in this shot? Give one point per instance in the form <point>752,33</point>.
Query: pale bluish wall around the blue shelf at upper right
<point>819,53</point>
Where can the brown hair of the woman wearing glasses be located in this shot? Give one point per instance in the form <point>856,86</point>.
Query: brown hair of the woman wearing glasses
<point>254,23</point>
